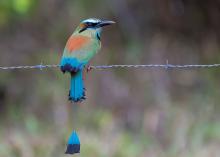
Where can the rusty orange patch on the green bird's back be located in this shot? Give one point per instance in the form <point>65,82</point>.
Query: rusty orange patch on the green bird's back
<point>76,42</point>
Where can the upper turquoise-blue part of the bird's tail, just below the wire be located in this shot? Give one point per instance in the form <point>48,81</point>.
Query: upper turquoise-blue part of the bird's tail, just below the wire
<point>77,90</point>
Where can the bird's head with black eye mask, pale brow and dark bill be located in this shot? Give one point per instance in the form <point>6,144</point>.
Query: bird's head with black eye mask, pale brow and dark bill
<point>93,25</point>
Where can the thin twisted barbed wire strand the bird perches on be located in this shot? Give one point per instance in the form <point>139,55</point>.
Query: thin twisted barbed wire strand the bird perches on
<point>101,67</point>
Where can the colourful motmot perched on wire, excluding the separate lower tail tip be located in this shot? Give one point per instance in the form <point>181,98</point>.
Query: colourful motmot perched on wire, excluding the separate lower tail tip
<point>80,48</point>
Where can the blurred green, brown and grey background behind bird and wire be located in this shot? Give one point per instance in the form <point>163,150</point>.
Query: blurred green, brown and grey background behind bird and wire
<point>128,112</point>
